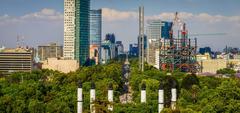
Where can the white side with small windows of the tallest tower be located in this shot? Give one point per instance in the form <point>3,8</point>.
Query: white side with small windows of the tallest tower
<point>69,29</point>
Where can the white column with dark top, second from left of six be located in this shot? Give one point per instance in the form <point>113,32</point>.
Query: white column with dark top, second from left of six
<point>92,98</point>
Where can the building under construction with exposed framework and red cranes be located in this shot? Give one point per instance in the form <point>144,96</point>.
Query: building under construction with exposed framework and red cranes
<point>178,52</point>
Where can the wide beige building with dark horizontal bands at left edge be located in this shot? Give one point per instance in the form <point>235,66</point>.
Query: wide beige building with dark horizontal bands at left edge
<point>15,60</point>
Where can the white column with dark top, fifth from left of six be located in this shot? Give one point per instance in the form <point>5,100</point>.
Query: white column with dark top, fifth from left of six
<point>160,98</point>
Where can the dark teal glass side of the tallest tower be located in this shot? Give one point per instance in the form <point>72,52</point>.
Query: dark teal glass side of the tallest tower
<point>82,9</point>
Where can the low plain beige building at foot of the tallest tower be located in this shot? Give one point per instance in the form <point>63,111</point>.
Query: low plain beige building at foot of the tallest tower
<point>61,65</point>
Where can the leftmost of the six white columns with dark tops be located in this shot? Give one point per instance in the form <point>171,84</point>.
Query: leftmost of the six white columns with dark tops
<point>79,98</point>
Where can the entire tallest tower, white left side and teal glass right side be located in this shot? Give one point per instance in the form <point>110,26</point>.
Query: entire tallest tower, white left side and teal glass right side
<point>76,30</point>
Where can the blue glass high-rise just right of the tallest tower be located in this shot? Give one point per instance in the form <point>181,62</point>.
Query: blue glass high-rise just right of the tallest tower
<point>95,34</point>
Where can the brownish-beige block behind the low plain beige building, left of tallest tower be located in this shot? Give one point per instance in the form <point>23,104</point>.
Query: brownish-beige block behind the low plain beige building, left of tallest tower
<point>52,50</point>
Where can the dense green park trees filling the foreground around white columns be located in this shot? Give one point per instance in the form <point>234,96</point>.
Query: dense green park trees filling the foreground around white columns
<point>48,91</point>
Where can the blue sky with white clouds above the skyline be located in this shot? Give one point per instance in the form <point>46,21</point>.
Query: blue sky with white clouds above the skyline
<point>41,21</point>
